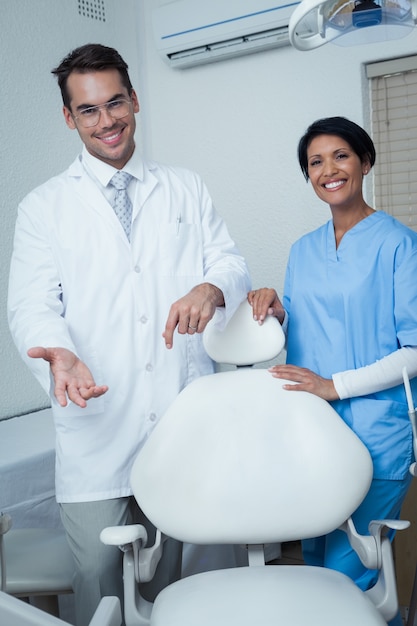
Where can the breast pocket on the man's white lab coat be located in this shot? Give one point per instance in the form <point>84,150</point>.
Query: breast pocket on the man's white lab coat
<point>180,249</point>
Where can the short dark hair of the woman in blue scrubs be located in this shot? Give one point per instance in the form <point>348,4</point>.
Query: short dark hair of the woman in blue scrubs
<point>354,135</point>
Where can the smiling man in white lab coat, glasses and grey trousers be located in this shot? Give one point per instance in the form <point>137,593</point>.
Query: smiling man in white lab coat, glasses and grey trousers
<point>93,313</point>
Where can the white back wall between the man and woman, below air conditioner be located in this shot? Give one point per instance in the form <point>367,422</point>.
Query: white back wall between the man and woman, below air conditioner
<point>238,123</point>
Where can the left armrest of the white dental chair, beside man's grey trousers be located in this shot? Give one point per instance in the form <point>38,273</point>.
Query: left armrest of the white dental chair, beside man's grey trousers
<point>134,538</point>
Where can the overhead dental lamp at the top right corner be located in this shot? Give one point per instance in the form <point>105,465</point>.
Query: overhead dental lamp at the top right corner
<point>350,22</point>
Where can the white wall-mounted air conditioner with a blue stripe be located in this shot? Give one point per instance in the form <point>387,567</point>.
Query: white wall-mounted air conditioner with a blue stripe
<point>191,32</point>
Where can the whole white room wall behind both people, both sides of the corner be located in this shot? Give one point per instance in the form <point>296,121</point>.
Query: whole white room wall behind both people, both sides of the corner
<point>236,122</point>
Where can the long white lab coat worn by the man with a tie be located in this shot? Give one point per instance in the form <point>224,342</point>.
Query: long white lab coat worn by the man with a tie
<point>77,283</point>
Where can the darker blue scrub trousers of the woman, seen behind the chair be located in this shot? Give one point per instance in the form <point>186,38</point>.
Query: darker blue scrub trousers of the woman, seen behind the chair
<point>383,501</point>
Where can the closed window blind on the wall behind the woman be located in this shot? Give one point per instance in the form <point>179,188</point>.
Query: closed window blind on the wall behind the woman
<point>394,131</point>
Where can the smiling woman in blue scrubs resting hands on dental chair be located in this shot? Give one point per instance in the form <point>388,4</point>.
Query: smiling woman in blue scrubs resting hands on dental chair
<point>350,313</point>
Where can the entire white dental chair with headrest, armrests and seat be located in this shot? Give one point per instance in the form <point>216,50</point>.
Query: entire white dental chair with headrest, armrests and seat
<point>237,459</point>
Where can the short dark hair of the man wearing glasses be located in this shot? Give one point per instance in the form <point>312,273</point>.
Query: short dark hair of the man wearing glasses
<point>92,57</point>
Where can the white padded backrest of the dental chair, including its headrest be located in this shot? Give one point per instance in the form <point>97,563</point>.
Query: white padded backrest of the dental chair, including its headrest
<point>237,459</point>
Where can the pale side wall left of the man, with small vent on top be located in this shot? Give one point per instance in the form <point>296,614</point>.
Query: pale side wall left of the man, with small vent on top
<point>35,143</point>
